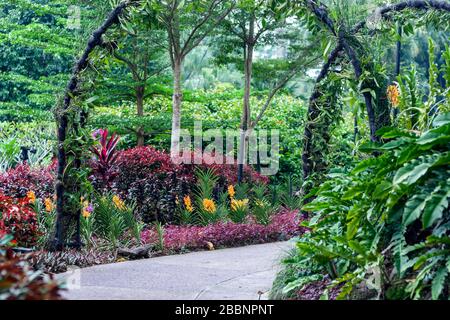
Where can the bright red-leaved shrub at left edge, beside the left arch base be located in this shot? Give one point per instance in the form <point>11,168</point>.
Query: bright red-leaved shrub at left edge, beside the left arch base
<point>19,219</point>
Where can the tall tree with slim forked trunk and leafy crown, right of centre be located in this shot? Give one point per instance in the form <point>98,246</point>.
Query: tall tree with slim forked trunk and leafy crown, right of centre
<point>252,25</point>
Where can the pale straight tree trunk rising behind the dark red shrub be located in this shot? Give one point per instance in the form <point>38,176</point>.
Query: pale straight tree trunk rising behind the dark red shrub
<point>176,105</point>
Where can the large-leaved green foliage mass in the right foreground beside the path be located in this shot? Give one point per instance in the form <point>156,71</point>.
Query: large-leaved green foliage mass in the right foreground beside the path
<point>385,225</point>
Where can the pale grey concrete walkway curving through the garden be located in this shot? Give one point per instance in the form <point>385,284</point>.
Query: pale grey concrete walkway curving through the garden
<point>238,273</point>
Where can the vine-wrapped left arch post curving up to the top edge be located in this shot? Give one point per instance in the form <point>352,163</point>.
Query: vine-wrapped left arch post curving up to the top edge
<point>71,117</point>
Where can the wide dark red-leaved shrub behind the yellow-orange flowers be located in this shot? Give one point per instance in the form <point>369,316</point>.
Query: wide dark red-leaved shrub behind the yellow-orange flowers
<point>149,178</point>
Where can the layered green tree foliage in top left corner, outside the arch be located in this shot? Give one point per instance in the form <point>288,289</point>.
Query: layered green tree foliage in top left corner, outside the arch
<point>41,33</point>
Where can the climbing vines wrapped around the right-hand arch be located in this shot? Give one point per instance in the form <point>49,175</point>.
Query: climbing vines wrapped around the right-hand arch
<point>371,84</point>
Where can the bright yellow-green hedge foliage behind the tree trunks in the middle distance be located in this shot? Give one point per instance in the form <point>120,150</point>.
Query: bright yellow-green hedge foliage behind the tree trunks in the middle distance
<point>219,108</point>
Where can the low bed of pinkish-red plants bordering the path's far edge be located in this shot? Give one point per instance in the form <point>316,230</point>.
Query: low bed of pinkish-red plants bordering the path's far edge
<point>177,240</point>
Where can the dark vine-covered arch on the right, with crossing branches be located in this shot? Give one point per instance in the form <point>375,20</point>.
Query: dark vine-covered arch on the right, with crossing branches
<point>378,114</point>
